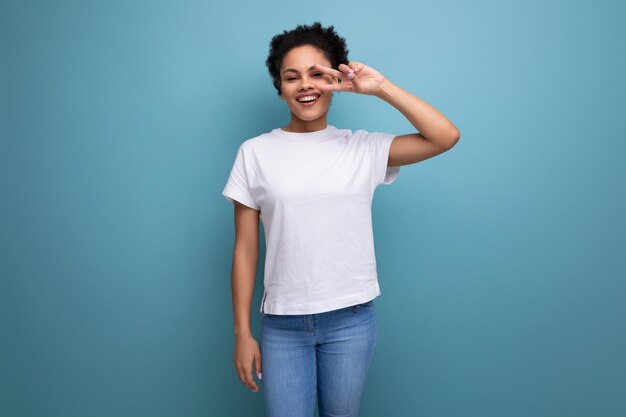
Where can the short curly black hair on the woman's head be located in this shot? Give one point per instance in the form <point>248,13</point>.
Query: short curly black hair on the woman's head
<point>326,39</point>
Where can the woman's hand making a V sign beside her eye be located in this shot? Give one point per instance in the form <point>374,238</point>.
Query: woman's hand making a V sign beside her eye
<point>355,77</point>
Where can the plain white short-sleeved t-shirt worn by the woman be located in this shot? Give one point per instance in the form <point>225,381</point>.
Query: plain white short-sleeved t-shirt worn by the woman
<point>314,191</point>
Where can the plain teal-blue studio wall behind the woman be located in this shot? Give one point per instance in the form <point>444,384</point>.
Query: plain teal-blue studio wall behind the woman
<point>501,262</point>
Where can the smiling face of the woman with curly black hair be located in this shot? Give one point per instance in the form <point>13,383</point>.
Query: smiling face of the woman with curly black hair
<point>297,81</point>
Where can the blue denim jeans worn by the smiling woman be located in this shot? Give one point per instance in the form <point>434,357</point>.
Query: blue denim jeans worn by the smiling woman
<point>324,356</point>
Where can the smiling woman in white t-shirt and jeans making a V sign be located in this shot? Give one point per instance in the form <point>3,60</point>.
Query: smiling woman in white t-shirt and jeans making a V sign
<point>312,186</point>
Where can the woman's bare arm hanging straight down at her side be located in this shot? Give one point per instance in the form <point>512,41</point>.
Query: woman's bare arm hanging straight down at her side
<point>245,260</point>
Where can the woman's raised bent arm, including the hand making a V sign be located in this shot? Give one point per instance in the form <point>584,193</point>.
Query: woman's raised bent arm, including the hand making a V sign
<point>436,134</point>
